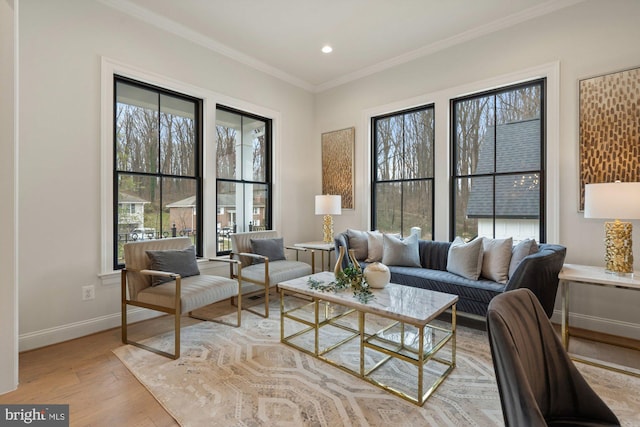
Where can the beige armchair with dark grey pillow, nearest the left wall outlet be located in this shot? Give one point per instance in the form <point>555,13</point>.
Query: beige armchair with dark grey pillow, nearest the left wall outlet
<point>177,295</point>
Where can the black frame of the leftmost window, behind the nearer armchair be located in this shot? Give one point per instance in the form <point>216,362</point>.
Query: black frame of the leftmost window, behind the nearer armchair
<point>199,171</point>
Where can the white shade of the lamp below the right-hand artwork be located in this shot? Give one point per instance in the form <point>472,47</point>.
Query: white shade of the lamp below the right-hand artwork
<point>612,200</point>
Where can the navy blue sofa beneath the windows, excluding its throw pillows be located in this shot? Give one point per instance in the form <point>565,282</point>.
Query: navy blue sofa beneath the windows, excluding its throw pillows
<point>537,272</point>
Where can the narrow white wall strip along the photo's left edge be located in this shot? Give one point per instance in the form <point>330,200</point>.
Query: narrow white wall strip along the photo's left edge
<point>8,287</point>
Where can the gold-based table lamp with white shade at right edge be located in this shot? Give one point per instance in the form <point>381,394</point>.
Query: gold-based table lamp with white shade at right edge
<point>615,200</point>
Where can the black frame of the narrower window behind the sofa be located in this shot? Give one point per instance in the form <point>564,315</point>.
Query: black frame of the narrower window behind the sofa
<point>374,166</point>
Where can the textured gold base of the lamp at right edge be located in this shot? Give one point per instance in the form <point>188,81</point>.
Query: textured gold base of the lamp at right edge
<point>619,248</point>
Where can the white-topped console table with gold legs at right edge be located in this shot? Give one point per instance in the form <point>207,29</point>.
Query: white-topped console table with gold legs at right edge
<point>579,275</point>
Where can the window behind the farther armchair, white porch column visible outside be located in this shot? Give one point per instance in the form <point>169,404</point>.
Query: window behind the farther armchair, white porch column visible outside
<point>243,172</point>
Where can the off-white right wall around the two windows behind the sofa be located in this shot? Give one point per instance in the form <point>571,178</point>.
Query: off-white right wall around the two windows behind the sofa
<point>588,39</point>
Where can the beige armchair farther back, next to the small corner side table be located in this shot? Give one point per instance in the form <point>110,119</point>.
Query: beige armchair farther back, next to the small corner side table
<point>258,273</point>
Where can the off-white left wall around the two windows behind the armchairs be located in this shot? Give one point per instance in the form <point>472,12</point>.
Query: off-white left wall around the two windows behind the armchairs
<point>63,46</point>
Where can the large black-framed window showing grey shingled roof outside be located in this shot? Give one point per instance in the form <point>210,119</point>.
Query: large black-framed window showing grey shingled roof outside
<point>498,167</point>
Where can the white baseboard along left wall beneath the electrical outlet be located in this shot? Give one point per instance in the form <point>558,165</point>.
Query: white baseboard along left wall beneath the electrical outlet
<point>71,331</point>
